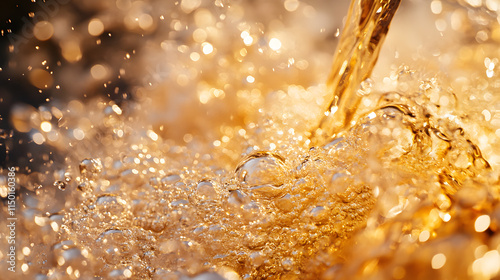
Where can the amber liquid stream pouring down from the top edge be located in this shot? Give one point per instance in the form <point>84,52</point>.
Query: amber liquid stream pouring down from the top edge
<point>357,52</point>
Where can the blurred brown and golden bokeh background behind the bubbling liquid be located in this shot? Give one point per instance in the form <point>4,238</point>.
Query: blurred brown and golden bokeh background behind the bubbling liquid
<point>197,66</point>
